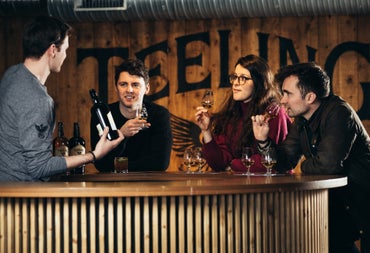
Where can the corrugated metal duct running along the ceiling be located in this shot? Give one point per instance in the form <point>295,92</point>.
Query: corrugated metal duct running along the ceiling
<point>186,9</point>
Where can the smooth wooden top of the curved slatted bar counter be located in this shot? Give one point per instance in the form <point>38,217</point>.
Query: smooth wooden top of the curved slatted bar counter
<point>167,184</point>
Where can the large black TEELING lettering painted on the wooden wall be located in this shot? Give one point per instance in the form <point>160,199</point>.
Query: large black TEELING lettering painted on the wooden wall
<point>286,49</point>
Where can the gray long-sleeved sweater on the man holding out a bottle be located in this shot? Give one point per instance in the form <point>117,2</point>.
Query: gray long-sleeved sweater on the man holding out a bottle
<point>27,122</point>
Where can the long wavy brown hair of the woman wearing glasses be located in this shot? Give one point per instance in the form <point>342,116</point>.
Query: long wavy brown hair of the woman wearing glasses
<point>264,92</point>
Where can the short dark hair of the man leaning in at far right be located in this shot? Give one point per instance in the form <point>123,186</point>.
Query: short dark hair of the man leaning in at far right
<point>311,78</point>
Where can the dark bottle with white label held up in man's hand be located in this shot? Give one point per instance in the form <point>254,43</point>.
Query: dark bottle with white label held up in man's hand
<point>104,115</point>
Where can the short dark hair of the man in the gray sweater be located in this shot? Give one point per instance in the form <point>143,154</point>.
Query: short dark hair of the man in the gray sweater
<point>41,33</point>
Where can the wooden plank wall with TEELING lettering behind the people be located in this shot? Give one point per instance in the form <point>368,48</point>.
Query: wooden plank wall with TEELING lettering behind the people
<point>190,51</point>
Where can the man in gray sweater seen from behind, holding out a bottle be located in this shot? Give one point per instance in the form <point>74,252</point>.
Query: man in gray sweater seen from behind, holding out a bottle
<point>27,116</point>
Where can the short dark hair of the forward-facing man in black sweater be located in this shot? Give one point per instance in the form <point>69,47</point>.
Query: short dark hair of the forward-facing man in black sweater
<point>133,67</point>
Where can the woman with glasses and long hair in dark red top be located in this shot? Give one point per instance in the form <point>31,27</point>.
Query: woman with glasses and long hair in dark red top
<point>228,131</point>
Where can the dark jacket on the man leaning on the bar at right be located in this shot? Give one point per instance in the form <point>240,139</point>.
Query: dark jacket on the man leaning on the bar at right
<point>333,141</point>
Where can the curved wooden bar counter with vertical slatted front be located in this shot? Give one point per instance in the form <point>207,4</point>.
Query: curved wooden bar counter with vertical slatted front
<point>167,212</point>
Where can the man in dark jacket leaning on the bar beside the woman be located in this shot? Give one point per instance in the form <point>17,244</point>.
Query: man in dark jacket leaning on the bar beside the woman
<point>331,137</point>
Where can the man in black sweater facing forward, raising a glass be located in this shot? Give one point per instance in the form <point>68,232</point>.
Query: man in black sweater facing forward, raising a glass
<point>148,141</point>
